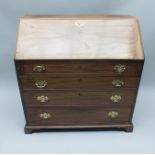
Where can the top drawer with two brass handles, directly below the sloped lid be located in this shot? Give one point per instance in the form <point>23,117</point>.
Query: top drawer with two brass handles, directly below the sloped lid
<point>108,68</point>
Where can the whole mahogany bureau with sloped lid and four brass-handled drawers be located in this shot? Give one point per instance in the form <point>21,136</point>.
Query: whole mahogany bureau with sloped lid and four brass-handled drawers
<point>78,72</point>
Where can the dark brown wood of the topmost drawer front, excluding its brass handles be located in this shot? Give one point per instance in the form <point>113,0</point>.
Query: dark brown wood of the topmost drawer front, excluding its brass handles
<point>80,67</point>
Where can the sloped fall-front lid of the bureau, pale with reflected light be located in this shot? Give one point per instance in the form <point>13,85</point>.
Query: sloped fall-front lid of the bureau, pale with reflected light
<point>78,37</point>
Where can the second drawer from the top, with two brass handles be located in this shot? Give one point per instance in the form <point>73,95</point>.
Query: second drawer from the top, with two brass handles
<point>98,83</point>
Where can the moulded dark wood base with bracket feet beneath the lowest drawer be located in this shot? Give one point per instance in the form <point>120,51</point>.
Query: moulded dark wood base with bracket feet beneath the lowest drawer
<point>128,127</point>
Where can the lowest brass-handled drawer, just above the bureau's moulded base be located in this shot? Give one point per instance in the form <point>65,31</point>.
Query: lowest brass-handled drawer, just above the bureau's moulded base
<point>47,116</point>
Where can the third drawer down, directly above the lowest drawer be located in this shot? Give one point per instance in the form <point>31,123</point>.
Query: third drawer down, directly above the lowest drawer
<point>82,98</point>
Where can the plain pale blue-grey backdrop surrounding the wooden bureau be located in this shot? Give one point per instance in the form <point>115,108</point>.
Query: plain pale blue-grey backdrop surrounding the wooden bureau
<point>12,137</point>
